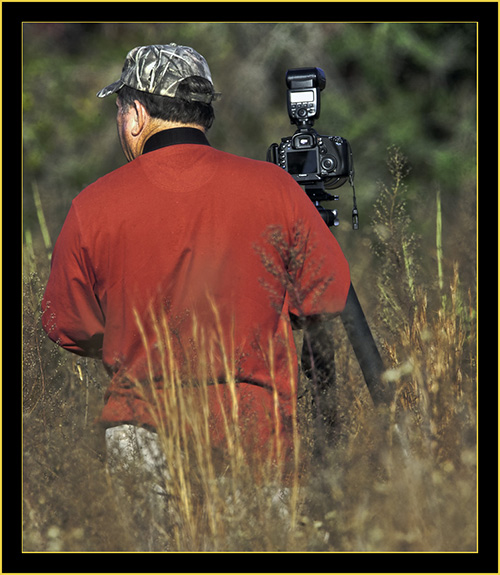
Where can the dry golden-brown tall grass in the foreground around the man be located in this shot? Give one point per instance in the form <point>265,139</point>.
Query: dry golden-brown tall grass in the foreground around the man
<point>401,480</point>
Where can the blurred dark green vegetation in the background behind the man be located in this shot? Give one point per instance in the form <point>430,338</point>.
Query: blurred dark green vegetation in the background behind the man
<point>408,85</point>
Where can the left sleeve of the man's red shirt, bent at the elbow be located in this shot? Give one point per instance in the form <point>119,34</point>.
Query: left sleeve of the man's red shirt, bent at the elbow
<point>71,312</point>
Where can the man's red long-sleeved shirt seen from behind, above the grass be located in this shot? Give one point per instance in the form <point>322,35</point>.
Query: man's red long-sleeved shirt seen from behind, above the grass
<point>184,266</point>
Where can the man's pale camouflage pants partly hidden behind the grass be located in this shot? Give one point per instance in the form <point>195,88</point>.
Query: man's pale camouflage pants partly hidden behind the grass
<point>141,481</point>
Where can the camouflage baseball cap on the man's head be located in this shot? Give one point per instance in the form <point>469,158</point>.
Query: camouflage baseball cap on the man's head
<point>158,69</point>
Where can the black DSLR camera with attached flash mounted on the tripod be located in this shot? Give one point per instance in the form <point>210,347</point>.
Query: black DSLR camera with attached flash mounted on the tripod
<point>316,162</point>
